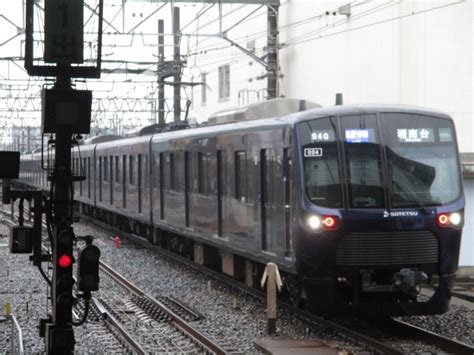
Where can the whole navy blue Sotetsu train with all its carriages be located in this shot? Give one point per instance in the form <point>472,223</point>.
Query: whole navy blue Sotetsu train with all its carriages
<point>359,206</point>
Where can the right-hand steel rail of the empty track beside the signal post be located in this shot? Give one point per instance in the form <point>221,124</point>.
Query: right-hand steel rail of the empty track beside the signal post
<point>175,318</point>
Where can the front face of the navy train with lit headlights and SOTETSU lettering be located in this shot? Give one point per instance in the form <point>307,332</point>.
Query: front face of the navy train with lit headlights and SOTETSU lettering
<point>381,214</point>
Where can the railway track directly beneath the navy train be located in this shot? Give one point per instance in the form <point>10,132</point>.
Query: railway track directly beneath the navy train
<point>403,332</point>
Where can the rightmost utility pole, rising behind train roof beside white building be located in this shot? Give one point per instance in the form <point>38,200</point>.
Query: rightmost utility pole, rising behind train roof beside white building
<point>272,51</point>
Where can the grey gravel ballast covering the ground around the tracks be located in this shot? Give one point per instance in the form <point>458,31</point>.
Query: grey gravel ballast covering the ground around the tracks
<point>233,318</point>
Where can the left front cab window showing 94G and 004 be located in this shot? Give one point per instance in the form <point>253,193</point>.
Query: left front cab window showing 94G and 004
<point>320,161</point>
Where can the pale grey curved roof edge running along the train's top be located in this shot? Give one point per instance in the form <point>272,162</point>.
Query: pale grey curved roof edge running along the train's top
<point>275,122</point>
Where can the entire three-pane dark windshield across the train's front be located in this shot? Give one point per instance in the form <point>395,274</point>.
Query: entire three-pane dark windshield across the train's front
<point>421,166</point>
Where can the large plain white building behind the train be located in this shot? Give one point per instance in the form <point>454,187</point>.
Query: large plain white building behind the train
<point>403,52</point>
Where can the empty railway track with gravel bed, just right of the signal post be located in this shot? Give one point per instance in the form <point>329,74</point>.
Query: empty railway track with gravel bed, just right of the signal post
<point>164,320</point>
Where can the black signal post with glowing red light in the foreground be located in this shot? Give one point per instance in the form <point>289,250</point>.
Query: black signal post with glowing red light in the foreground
<point>65,113</point>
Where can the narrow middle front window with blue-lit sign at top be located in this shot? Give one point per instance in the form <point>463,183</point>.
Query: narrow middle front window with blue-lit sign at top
<point>363,163</point>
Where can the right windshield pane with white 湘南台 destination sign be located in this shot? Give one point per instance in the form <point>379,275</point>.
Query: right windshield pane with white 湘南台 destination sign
<point>422,159</point>
